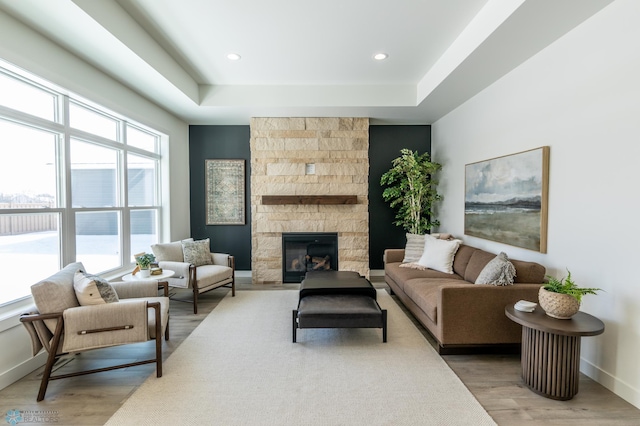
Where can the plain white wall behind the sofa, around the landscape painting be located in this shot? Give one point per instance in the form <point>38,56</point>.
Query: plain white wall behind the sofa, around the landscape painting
<point>580,96</point>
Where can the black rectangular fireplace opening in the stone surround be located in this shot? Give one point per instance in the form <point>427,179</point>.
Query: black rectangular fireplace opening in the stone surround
<point>308,251</point>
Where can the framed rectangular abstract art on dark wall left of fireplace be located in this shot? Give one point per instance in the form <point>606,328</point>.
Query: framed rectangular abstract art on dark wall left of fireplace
<point>224,188</point>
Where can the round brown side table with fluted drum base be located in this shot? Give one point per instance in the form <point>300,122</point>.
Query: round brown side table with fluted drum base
<point>551,350</point>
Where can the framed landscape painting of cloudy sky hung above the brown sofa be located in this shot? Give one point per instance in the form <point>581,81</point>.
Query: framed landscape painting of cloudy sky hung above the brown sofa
<point>506,199</point>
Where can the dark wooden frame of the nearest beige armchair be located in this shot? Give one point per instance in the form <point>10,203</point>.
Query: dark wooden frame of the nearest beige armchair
<point>59,331</point>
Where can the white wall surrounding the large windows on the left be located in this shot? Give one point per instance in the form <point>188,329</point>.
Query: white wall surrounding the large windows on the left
<point>32,52</point>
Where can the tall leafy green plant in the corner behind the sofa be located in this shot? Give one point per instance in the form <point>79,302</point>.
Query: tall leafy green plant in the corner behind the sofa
<point>412,189</point>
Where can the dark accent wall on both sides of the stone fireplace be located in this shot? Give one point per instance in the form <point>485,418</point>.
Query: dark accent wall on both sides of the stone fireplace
<point>232,142</point>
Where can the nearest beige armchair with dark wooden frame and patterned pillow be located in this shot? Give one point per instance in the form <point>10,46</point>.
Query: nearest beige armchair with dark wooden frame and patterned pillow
<point>67,321</point>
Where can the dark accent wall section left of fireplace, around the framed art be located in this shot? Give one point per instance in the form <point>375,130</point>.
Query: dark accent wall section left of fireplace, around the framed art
<point>220,142</point>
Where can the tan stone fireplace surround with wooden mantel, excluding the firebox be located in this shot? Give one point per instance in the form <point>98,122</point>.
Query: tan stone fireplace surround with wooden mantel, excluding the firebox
<point>309,175</point>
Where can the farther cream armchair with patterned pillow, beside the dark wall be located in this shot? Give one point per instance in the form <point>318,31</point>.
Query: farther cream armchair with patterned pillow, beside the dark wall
<point>196,267</point>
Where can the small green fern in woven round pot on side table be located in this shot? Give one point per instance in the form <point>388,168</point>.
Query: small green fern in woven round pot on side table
<point>561,298</point>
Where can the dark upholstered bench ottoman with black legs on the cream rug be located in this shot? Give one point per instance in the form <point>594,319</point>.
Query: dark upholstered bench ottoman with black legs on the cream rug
<point>332,299</point>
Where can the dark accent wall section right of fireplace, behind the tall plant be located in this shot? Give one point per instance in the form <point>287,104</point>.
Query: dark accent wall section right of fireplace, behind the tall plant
<point>385,143</point>
